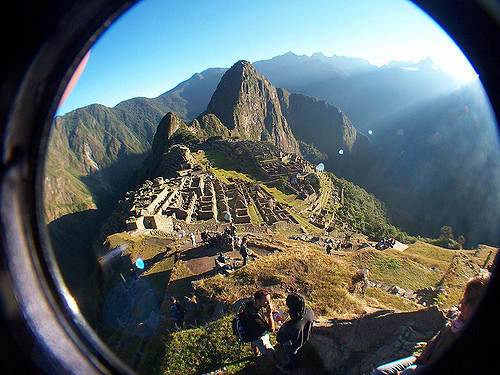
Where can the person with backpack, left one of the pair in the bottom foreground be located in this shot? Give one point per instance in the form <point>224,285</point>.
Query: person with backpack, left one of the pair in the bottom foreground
<point>258,322</point>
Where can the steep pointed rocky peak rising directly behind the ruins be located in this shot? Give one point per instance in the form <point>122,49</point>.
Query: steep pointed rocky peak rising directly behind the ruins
<point>248,105</point>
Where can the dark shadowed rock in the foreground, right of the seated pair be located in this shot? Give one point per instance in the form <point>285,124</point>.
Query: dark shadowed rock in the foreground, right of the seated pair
<point>356,346</point>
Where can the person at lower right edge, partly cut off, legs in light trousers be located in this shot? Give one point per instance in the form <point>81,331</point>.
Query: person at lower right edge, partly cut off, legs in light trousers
<point>439,343</point>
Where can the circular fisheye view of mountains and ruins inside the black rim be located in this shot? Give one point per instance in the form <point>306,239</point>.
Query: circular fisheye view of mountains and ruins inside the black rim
<point>340,172</point>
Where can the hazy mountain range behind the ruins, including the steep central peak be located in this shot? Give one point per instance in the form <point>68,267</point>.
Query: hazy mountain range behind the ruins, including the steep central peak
<point>96,148</point>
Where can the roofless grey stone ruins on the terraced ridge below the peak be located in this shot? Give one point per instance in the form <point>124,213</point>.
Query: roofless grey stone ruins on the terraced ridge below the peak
<point>196,195</point>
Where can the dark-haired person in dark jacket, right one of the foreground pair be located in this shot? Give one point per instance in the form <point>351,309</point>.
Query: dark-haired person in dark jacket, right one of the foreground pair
<point>296,332</point>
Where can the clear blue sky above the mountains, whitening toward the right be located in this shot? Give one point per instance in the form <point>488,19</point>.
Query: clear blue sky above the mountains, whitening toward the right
<point>160,43</point>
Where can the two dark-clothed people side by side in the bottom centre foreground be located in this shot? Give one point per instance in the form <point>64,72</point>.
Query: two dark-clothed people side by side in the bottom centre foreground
<point>257,320</point>
